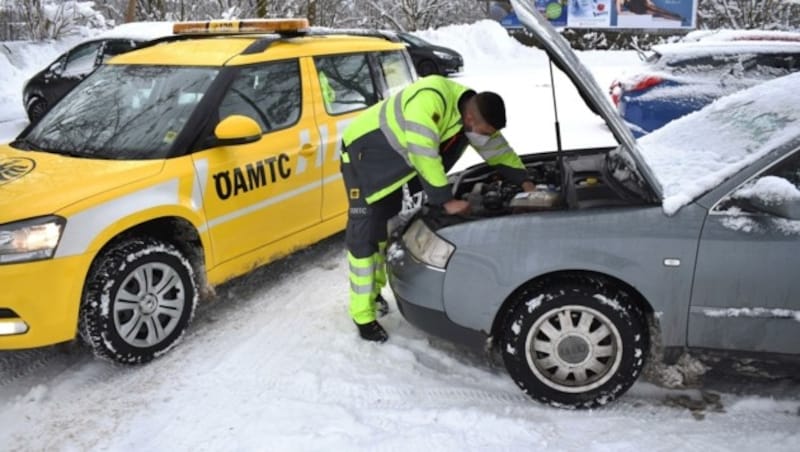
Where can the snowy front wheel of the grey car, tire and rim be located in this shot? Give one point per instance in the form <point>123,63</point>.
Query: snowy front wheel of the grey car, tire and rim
<point>575,342</point>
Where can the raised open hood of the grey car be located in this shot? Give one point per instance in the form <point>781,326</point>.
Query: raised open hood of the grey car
<point>567,61</point>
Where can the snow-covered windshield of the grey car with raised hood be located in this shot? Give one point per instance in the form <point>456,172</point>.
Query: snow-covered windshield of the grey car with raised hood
<point>695,153</point>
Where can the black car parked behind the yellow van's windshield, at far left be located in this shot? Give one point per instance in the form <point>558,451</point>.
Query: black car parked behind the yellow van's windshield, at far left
<point>50,84</point>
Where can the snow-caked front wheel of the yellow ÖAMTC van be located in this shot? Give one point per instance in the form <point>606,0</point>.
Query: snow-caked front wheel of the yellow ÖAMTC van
<point>139,299</point>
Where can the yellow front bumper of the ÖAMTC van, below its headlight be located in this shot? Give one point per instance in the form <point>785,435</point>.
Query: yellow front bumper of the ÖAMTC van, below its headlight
<point>40,301</point>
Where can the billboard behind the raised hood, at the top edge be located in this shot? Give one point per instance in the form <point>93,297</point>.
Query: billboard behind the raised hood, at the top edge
<point>607,14</point>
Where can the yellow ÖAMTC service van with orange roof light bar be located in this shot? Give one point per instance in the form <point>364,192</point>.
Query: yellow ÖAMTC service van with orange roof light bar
<point>174,168</point>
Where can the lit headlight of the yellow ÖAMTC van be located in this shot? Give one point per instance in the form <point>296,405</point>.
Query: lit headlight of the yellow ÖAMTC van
<point>30,240</point>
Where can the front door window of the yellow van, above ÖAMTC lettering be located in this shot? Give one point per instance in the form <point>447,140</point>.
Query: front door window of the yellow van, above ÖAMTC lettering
<point>270,94</point>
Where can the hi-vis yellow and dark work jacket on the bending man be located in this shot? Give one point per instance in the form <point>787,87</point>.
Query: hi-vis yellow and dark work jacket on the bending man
<point>418,131</point>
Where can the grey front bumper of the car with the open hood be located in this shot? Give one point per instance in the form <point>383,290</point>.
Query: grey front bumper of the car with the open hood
<point>418,291</point>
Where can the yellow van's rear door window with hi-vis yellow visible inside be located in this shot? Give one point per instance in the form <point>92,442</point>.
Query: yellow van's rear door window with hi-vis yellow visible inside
<point>349,84</point>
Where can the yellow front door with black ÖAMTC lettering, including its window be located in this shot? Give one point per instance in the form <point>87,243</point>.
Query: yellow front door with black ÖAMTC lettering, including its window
<point>258,193</point>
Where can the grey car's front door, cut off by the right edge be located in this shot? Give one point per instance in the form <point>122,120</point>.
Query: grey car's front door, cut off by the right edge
<point>746,292</point>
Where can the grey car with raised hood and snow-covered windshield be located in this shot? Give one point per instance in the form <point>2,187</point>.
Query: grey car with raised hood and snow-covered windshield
<point>620,258</point>
